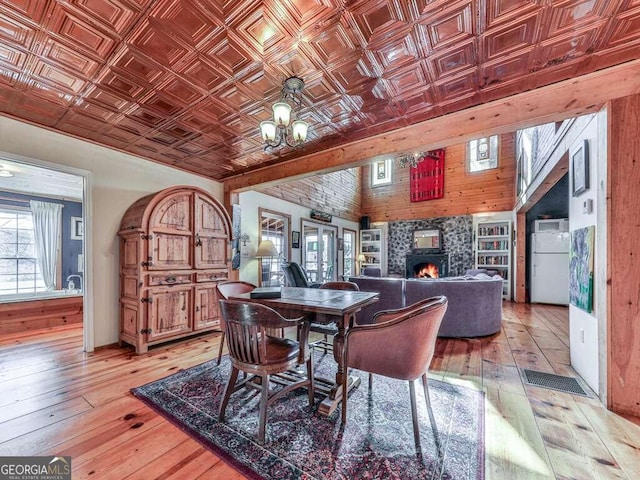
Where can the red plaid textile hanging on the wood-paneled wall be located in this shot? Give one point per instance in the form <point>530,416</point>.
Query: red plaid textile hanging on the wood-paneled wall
<point>427,177</point>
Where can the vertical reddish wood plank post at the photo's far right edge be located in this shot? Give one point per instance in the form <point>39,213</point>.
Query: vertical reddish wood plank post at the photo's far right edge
<point>624,256</point>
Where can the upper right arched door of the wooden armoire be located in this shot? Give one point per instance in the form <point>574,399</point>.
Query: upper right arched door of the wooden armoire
<point>211,235</point>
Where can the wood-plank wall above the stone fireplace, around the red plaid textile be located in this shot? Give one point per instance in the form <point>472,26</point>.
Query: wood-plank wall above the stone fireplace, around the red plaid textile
<point>464,192</point>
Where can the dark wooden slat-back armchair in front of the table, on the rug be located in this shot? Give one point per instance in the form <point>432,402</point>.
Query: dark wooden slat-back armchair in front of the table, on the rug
<point>254,351</point>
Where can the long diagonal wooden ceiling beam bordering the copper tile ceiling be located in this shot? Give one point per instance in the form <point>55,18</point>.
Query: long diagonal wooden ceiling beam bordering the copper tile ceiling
<point>559,101</point>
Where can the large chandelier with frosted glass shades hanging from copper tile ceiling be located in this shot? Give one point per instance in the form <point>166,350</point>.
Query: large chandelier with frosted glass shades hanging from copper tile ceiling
<point>281,130</point>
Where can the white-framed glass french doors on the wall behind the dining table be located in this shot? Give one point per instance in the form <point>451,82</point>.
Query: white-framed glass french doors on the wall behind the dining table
<point>319,251</point>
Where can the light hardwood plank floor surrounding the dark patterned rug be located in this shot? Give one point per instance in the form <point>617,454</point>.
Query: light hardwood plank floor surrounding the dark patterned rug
<point>55,399</point>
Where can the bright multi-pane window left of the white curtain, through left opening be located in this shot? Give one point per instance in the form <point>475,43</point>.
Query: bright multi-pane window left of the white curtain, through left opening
<point>19,270</point>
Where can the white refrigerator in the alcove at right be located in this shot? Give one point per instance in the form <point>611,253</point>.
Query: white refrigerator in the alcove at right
<point>550,267</point>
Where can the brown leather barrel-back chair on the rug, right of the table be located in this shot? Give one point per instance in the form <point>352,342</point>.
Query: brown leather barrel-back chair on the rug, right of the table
<point>399,344</point>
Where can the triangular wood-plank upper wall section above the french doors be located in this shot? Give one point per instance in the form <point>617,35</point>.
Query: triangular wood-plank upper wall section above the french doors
<point>338,193</point>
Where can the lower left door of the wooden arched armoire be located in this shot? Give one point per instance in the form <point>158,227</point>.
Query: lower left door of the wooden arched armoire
<point>169,312</point>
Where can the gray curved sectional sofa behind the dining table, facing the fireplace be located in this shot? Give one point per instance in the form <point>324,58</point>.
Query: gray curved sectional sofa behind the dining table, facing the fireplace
<point>475,302</point>
